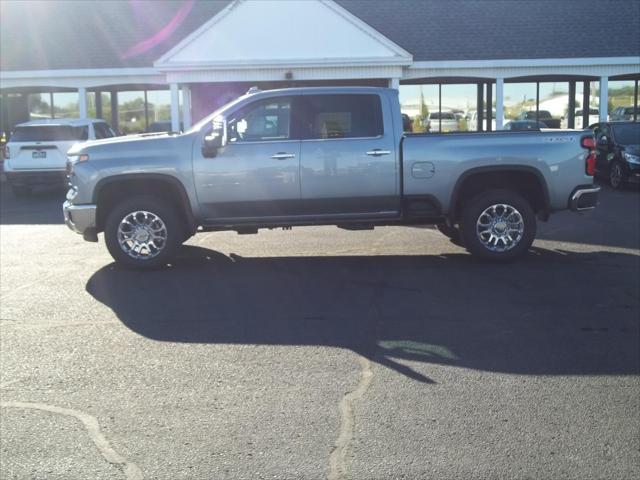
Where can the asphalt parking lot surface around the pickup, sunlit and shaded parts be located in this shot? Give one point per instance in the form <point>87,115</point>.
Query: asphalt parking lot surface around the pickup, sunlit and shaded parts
<point>319,353</point>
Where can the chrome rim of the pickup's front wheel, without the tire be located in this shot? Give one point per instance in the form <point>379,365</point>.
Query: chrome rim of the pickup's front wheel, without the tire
<point>142,235</point>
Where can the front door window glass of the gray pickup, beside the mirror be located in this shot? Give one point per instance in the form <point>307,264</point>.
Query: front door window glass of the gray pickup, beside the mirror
<point>261,121</point>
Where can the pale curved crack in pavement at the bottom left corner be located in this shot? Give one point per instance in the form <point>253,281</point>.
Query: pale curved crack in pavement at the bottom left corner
<point>130,469</point>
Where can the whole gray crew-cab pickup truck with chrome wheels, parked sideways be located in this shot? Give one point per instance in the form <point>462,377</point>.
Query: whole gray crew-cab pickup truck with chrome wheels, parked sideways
<point>322,156</point>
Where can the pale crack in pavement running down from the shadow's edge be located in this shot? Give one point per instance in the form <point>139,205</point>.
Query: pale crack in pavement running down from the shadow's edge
<point>337,467</point>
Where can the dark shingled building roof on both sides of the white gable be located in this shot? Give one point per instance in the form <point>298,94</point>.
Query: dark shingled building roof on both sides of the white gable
<point>75,34</point>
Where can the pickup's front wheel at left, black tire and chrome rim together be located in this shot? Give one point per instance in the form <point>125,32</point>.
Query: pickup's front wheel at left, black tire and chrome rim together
<point>143,232</point>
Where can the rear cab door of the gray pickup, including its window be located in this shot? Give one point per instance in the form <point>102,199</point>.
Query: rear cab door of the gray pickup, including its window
<point>348,160</point>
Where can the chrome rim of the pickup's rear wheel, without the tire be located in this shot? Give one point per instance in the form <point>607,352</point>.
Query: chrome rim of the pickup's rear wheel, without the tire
<point>500,227</point>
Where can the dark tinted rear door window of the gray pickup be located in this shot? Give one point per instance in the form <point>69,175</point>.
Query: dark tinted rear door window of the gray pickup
<point>340,116</point>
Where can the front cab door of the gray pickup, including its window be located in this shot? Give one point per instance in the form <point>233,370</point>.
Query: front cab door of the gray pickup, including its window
<point>255,176</point>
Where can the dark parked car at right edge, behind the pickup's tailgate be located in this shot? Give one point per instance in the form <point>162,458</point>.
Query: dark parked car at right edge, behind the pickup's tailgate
<point>618,156</point>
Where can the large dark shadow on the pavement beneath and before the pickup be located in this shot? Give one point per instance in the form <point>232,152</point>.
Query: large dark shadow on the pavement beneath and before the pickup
<point>553,313</point>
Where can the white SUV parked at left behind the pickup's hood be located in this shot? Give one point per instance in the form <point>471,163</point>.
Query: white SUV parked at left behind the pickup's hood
<point>36,153</point>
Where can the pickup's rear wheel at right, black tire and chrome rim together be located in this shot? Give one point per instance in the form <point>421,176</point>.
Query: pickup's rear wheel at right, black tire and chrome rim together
<point>498,225</point>
